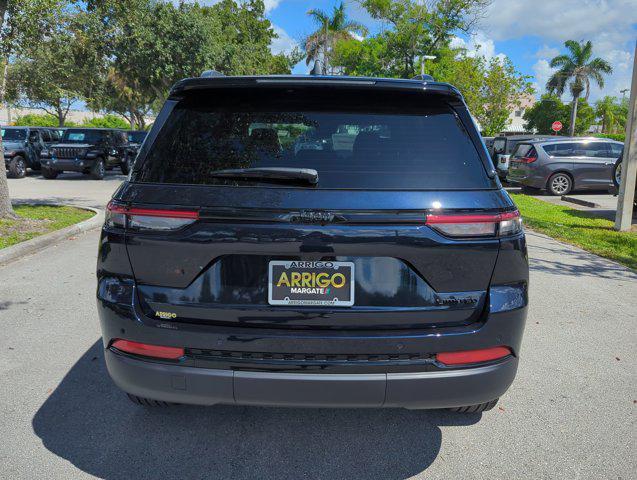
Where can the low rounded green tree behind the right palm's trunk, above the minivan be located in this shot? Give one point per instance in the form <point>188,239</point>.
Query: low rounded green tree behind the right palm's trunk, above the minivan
<point>550,108</point>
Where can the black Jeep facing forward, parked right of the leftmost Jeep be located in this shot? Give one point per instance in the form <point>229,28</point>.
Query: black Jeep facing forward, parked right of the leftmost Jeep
<point>87,150</point>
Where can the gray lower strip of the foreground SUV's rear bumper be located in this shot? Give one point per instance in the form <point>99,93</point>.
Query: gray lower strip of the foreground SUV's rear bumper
<point>200,386</point>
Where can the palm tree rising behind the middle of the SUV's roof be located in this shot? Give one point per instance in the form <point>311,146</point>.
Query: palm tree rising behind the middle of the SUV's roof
<point>319,45</point>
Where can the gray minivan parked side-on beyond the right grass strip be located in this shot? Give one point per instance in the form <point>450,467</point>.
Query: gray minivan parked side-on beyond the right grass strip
<point>562,165</point>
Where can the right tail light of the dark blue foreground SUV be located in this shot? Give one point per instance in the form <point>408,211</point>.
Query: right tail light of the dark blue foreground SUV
<point>481,225</point>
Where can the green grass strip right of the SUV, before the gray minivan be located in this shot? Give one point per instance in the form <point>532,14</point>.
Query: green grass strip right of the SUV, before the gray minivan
<point>591,233</point>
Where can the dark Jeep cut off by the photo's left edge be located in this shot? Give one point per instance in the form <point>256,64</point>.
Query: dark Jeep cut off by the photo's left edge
<point>22,148</point>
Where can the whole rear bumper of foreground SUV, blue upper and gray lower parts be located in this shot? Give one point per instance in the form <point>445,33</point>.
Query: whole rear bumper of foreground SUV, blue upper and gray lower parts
<point>253,380</point>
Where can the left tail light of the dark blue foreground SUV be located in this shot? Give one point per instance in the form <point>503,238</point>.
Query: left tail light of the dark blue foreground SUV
<point>121,216</point>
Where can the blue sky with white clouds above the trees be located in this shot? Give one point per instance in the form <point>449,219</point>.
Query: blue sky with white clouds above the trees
<point>529,32</point>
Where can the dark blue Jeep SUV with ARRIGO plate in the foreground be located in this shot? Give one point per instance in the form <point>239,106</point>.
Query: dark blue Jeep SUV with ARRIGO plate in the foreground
<point>379,264</point>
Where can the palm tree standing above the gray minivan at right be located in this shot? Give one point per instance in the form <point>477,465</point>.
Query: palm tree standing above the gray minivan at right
<point>576,69</point>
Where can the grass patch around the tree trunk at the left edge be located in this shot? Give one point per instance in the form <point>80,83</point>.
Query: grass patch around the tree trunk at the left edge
<point>37,220</point>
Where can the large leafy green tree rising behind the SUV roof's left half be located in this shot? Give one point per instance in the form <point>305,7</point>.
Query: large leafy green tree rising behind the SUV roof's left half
<point>148,46</point>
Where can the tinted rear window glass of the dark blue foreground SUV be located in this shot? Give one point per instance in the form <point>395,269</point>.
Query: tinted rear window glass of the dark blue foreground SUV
<point>352,142</point>
